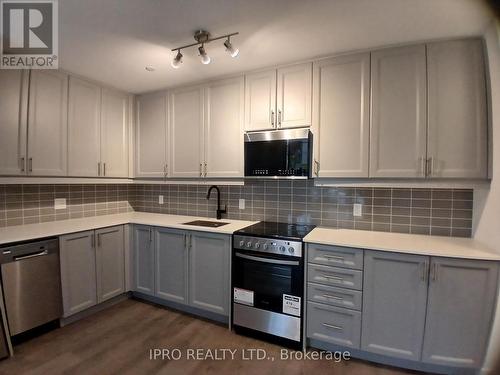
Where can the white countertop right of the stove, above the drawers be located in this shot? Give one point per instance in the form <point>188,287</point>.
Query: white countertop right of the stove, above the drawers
<point>452,247</point>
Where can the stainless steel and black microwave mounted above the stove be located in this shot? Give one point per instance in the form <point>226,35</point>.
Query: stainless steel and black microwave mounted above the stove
<point>280,153</point>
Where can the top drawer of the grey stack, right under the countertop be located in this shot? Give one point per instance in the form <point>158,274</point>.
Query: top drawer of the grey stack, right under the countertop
<point>338,256</point>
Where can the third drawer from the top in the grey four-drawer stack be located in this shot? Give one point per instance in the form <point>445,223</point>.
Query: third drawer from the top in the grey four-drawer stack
<point>334,296</point>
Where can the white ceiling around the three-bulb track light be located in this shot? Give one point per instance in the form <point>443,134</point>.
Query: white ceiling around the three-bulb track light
<point>112,41</point>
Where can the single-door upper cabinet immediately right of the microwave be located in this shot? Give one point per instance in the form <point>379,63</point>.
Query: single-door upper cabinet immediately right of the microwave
<point>341,115</point>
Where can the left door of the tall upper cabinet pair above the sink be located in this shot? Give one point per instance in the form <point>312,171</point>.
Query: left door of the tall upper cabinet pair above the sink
<point>186,132</point>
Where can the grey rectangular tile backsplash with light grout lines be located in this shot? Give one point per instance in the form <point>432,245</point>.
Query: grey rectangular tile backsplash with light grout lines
<point>445,212</point>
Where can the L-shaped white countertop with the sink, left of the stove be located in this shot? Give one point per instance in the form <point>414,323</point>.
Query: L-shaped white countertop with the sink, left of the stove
<point>56,228</point>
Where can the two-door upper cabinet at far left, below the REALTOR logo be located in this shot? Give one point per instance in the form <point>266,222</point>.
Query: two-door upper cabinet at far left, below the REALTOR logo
<point>33,140</point>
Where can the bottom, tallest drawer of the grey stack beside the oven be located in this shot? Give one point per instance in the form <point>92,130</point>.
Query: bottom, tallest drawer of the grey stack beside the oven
<point>335,325</point>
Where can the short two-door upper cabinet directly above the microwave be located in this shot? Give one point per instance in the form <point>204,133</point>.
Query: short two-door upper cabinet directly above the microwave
<point>279,98</point>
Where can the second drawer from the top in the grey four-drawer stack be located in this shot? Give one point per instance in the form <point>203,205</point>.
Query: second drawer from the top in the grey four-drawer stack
<point>335,276</point>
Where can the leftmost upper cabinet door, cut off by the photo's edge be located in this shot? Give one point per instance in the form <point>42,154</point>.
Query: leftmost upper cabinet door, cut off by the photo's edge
<point>13,110</point>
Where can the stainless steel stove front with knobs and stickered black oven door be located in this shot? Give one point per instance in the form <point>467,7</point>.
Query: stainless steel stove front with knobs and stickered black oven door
<point>268,288</point>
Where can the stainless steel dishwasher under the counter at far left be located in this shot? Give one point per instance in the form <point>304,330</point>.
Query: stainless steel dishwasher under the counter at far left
<point>31,284</point>
